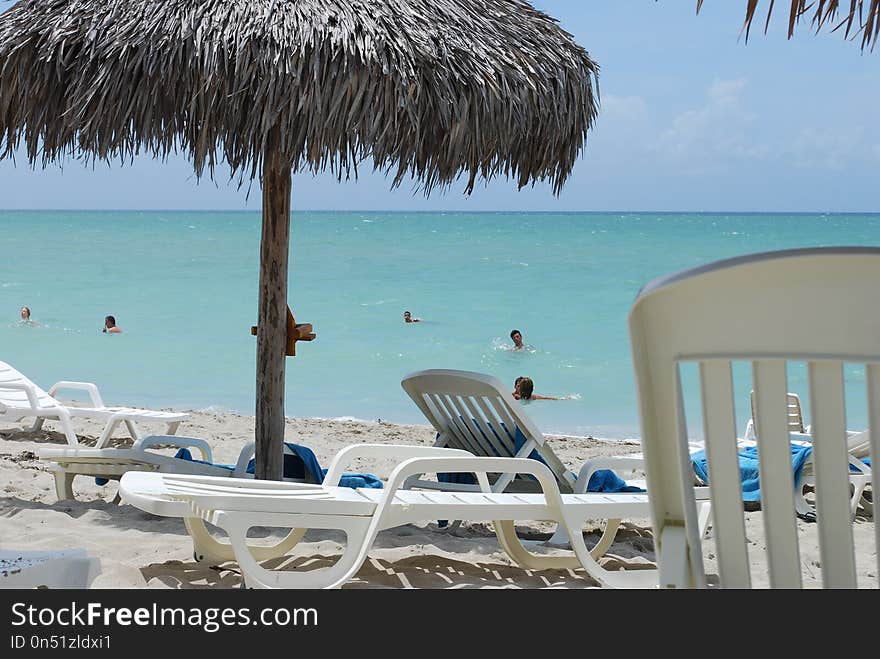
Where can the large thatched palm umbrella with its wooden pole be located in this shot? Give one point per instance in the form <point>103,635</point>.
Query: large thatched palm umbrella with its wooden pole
<point>434,89</point>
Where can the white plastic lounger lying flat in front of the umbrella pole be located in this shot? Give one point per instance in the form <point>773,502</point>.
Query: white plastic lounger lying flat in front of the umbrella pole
<point>237,505</point>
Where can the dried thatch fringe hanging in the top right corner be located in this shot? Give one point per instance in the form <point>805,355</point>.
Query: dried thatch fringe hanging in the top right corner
<point>857,16</point>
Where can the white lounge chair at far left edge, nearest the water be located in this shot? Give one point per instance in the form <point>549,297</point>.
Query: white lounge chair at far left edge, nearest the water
<point>20,398</point>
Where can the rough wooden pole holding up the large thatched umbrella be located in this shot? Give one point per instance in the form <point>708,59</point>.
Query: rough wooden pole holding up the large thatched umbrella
<point>272,316</point>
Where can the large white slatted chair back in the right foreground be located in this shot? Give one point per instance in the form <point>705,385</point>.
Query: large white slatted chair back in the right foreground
<point>814,305</point>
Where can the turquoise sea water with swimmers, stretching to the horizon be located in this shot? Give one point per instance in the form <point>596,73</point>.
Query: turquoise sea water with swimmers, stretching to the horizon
<point>183,287</point>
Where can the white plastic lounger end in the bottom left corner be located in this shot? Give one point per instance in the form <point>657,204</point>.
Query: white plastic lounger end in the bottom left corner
<point>70,568</point>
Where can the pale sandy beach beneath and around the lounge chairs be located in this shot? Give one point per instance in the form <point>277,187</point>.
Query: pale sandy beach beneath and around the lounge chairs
<point>138,550</point>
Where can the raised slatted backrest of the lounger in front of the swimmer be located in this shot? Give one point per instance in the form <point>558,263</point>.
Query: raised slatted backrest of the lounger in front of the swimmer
<point>475,412</point>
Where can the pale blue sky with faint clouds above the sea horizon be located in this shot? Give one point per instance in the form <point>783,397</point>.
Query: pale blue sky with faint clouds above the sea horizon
<point>691,119</point>
